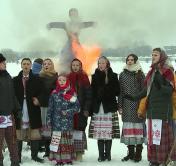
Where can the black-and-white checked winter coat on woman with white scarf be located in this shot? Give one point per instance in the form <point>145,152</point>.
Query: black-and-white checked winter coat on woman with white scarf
<point>131,82</point>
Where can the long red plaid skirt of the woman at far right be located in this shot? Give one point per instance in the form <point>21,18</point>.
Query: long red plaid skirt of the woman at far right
<point>159,153</point>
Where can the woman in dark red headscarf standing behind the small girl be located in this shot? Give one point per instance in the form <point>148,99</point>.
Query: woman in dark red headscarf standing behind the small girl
<point>80,82</point>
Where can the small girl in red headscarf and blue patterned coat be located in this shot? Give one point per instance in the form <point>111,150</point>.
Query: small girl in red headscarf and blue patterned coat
<point>63,104</point>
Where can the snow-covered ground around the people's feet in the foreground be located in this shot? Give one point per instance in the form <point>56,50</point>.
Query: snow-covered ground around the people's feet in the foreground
<point>90,158</point>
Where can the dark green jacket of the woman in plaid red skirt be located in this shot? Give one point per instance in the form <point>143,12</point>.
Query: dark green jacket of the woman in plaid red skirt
<point>159,102</point>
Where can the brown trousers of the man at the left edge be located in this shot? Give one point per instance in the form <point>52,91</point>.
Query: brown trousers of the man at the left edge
<point>9,135</point>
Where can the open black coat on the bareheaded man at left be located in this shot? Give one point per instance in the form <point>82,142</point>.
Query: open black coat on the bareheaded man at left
<point>33,89</point>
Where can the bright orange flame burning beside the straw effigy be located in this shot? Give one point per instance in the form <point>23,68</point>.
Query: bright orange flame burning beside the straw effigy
<point>87,55</point>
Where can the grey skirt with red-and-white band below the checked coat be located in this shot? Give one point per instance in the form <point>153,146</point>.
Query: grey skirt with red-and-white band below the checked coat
<point>133,133</point>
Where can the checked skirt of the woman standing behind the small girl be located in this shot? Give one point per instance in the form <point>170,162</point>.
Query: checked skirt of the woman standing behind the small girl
<point>80,141</point>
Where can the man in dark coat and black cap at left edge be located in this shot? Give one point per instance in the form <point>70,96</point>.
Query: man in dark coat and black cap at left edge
<point>8,107</point>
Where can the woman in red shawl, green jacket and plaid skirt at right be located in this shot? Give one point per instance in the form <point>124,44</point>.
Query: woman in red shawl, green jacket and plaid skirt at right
<point>159,88</point>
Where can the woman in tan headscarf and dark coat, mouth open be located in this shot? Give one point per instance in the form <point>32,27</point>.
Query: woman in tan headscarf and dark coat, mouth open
<point>48,77</point>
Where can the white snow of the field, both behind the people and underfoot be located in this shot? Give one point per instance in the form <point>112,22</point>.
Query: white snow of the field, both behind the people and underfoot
<point>90,158</point>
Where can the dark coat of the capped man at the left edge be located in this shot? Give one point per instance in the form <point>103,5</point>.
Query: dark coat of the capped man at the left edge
<point>8,102</point>
